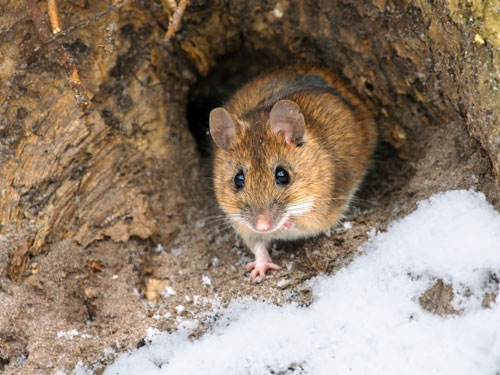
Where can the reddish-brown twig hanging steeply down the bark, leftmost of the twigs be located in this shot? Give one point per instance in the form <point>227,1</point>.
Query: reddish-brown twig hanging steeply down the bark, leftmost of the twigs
<point>70,68</point>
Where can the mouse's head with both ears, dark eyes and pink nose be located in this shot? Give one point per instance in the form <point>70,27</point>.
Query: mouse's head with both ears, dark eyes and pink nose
<point>263,166</point>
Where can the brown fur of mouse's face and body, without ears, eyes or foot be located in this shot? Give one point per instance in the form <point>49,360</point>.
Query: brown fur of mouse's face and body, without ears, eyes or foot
<point>340,136</point>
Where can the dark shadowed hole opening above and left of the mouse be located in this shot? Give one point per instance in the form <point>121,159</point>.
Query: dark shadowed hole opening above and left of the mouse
<point>229,74</point>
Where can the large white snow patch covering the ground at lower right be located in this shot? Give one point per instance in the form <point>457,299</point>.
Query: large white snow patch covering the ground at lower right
<point>366,318</point>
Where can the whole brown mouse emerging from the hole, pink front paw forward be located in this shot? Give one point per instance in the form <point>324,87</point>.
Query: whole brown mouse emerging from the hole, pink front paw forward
<point>292,148</point>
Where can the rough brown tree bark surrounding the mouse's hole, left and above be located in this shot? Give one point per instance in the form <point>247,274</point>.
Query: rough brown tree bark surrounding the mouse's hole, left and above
<point>123,165</point>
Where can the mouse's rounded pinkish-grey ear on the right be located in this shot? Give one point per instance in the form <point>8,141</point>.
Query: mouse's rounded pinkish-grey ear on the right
<point>286,117</point>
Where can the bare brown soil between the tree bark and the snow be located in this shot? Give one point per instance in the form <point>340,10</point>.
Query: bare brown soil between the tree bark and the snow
<point>78,303</point>
